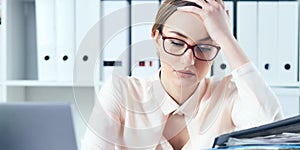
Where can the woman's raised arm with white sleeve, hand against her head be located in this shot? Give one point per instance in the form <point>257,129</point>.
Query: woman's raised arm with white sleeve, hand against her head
<point>255,103</point>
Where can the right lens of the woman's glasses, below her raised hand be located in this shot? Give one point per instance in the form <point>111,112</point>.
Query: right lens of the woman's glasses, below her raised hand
<point>205,52</point>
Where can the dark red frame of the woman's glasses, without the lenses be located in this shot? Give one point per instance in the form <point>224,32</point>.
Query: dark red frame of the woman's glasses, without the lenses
<point>189,47</point>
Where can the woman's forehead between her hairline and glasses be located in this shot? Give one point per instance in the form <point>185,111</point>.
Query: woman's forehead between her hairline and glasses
<point>186,23</point>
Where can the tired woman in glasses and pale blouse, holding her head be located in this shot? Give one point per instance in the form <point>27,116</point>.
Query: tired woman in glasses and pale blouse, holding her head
<point>179,108</point>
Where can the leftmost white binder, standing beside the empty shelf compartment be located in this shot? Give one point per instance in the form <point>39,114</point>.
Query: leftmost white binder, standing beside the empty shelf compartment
<point>46,43</point>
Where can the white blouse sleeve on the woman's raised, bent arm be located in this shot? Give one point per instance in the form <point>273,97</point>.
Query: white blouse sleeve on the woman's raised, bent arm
<point>255,103</point>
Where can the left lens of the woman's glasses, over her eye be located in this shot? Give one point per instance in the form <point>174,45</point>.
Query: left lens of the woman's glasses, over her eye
<point>174,46</point>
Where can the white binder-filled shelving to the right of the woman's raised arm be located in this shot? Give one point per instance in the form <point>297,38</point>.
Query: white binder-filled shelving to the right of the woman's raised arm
<point>268,32</point>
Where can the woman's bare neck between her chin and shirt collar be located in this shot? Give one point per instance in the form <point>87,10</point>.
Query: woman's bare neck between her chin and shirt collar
<point>179,93</point>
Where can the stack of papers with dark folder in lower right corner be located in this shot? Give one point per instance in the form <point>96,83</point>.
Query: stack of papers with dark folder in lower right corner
<point>283,135</point>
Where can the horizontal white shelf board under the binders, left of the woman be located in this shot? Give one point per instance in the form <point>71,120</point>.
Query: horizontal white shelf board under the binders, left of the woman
<point>35,83</point>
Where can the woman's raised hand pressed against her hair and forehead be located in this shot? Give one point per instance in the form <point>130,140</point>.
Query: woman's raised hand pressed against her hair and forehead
<point>215,18</point>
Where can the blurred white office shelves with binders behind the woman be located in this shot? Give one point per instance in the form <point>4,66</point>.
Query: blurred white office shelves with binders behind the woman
<point>64,50</point>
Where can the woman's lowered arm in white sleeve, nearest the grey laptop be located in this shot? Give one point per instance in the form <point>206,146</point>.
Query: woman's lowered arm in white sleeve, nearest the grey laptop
<point>104,125</point>
